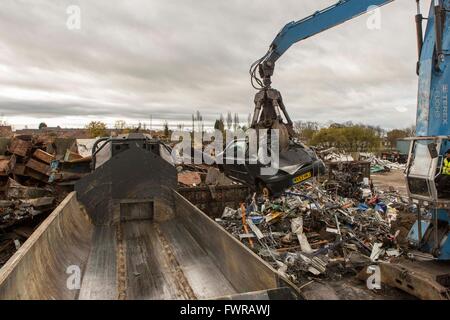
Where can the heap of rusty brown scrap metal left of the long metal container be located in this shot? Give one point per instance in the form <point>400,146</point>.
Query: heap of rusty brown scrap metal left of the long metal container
<point>35,175</point>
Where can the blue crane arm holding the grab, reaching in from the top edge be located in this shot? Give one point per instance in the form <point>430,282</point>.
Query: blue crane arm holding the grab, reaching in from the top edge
<point>296,31</point>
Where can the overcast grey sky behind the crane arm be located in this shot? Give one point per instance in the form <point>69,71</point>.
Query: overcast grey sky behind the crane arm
<point>165,59</point>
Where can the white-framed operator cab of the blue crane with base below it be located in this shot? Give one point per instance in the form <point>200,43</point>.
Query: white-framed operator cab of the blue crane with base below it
<point>424,175</point>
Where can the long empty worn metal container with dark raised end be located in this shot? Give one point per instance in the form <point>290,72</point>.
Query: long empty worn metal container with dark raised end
<point>126,233</point>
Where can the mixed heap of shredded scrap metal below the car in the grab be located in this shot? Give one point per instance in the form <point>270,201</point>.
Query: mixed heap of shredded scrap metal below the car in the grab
<point>309,232</point>
